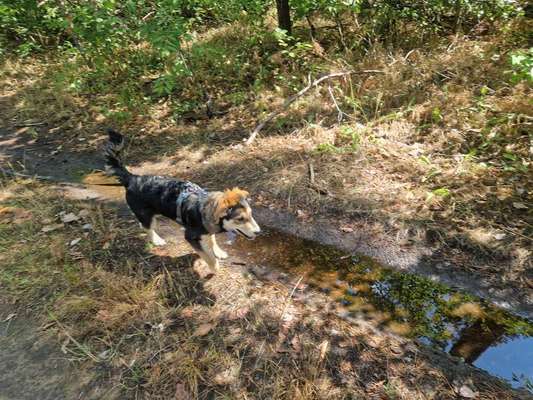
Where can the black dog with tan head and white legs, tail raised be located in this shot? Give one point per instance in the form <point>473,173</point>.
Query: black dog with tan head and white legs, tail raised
<point>203,214</point>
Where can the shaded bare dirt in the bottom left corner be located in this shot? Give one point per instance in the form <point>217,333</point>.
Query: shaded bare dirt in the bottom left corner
<point>33,366</point>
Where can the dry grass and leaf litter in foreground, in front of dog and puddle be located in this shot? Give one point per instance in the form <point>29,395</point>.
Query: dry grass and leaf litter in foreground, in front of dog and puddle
<point>145,316</point>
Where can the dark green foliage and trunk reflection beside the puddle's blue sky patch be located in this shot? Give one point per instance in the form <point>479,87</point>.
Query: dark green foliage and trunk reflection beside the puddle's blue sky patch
<point>434,313</point>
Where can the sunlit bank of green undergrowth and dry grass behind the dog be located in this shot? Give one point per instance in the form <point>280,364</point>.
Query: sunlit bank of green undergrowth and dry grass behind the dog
<point>435,146</point>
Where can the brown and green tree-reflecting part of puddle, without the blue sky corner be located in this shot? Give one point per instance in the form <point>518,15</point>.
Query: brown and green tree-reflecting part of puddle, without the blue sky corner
<point>425,308</point>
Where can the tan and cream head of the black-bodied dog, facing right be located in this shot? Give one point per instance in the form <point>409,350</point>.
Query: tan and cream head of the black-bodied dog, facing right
<point>232,212</point>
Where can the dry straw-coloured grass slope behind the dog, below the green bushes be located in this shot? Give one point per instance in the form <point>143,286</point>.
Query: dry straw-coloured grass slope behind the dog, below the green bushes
<point>436,150</point>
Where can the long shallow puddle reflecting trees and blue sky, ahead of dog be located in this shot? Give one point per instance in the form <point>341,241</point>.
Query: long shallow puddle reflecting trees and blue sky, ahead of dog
<point>408,305</point>
